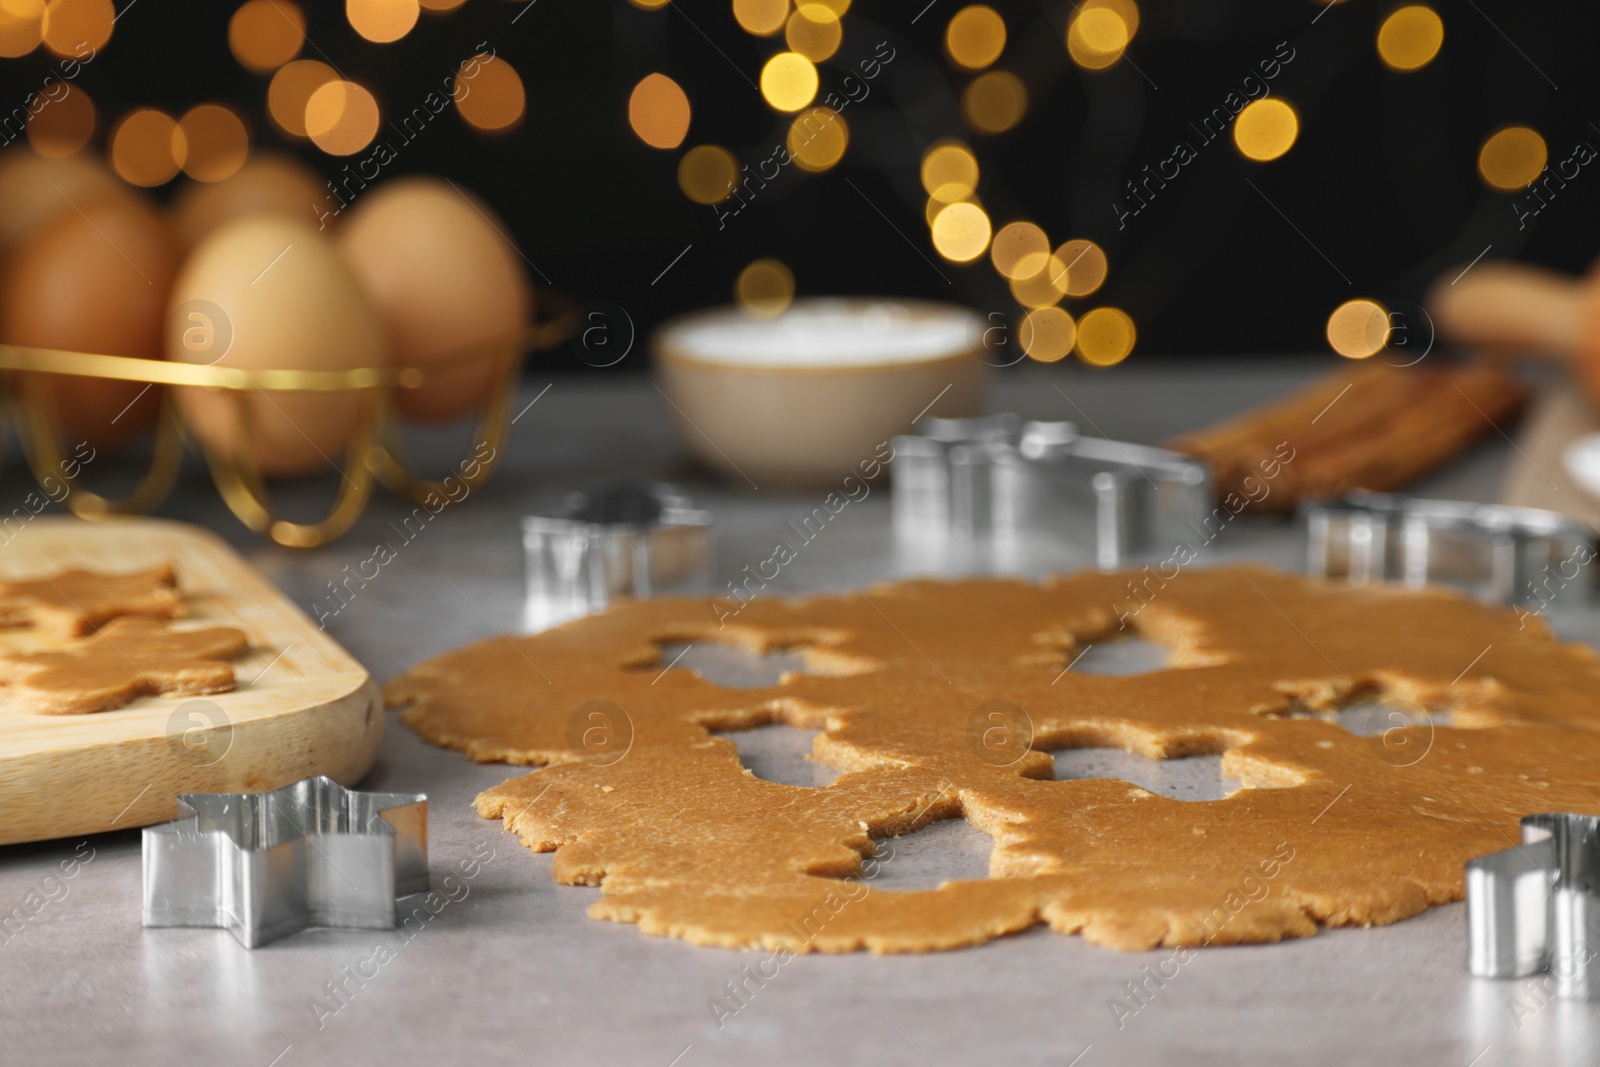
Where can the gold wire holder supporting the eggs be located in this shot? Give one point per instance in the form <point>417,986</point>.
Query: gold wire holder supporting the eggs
<point>375,452</point>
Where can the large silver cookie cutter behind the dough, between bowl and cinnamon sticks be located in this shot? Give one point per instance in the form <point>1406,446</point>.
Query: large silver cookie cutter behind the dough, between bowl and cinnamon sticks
<point>967,478</point>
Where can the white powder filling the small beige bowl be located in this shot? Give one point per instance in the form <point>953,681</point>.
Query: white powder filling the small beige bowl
<point>830,332</point>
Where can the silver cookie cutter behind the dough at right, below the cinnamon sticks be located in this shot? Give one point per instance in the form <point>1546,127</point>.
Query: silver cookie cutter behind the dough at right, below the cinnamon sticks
<point>1498,553</point>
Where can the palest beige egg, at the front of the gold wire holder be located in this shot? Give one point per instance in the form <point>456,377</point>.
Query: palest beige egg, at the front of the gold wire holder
<point>266,294</point>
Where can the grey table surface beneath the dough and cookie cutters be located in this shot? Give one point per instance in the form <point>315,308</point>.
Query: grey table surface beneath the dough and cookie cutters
<point>513,972</point>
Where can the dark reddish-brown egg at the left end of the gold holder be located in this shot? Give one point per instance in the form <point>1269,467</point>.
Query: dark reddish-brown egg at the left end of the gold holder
<point>94,279</point>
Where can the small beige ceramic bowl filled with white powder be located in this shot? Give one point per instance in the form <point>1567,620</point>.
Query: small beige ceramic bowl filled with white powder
<point>812,396</point>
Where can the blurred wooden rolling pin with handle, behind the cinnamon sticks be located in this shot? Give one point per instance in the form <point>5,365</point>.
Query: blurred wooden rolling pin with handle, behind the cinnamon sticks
<point>1519,308</point>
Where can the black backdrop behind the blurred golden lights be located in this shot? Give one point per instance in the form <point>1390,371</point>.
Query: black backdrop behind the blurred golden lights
<point>1377,198</point>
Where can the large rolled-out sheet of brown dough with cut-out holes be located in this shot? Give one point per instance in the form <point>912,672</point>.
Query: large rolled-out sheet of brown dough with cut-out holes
<point>946,700</point>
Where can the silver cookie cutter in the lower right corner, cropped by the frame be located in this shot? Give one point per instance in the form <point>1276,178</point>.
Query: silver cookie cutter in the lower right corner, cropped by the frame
<point>1537,906</point>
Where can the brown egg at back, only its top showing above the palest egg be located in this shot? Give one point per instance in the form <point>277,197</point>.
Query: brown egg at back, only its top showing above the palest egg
<point>268,185</point>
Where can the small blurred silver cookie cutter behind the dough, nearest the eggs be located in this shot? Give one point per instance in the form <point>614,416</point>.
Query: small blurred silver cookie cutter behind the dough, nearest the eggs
<point>625,540</point>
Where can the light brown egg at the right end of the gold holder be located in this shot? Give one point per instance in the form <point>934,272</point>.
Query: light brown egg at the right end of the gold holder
<point>444,276</point>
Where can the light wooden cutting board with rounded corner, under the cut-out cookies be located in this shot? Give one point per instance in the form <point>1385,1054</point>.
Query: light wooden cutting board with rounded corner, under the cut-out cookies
<point>302,706</point>
